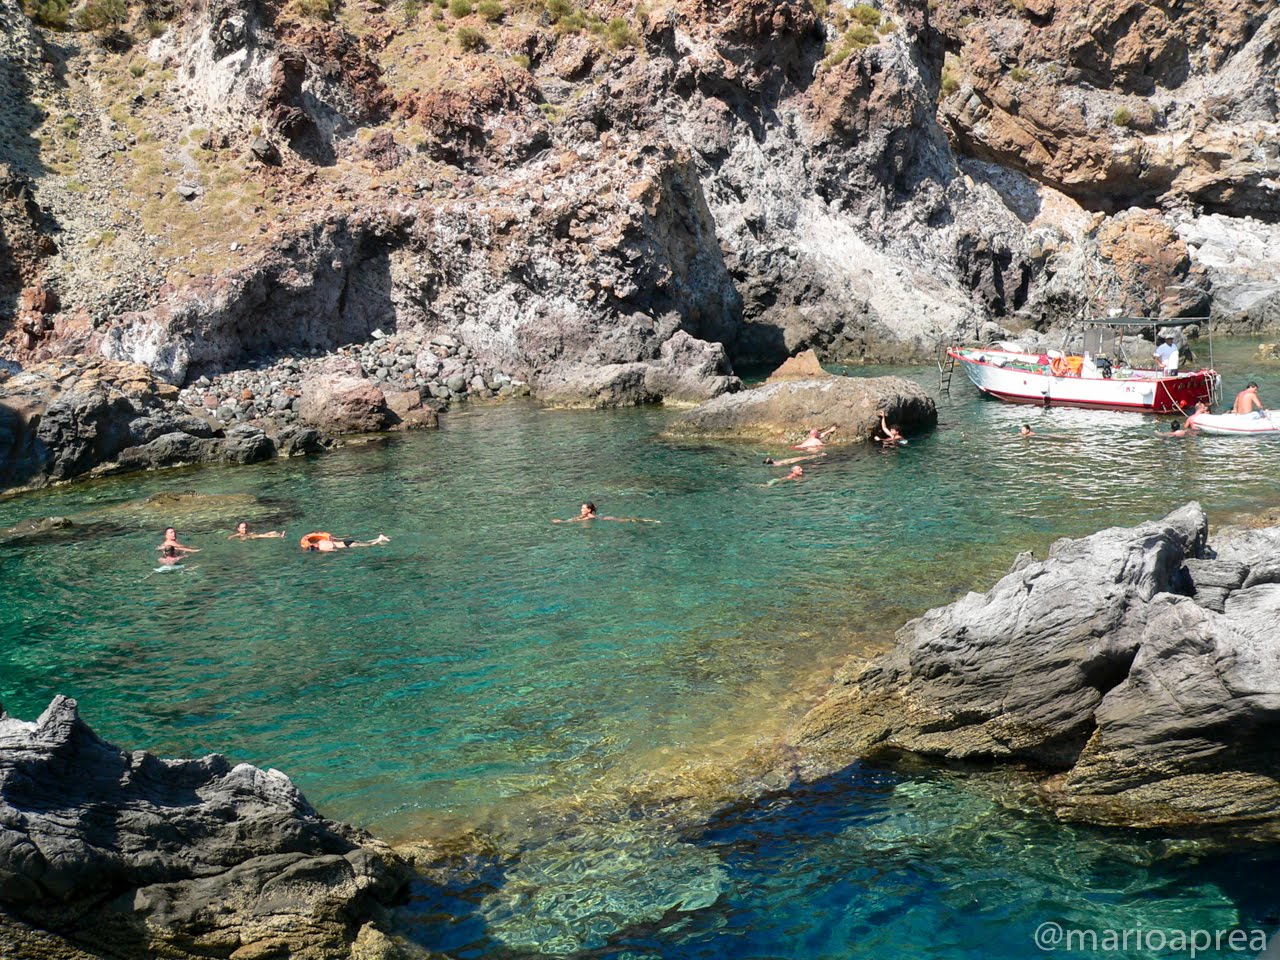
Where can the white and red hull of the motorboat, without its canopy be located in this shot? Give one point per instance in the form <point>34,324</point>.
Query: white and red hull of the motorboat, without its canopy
<point>1018,378</point>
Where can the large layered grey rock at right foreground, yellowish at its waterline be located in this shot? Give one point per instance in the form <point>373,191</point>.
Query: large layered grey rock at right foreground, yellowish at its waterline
<point>1137,664</point>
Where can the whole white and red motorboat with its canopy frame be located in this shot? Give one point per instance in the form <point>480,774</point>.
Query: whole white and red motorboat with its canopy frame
<point>1089,380</point>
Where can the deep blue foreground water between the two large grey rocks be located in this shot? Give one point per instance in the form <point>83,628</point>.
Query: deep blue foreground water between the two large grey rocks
<point>909,862</point>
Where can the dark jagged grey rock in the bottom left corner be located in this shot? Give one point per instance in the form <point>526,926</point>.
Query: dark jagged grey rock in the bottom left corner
<point>131,856</point>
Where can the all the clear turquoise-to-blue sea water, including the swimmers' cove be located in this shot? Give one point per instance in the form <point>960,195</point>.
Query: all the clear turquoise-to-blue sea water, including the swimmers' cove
<point>487,664</point>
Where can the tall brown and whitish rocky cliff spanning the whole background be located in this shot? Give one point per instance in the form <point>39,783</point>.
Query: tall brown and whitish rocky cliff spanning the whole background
<point>574,184</point>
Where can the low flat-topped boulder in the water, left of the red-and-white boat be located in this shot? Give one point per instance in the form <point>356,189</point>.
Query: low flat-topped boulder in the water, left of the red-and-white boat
<point>785,412</point>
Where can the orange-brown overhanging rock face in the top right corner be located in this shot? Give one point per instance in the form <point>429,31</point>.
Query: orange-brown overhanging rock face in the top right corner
<point>1118,104</point>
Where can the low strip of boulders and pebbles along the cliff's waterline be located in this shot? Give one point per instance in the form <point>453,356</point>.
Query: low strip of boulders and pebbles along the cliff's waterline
<point>75,418</point>
